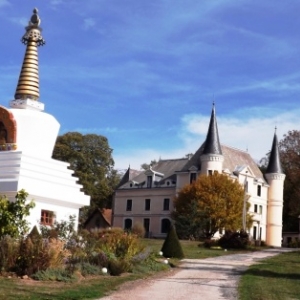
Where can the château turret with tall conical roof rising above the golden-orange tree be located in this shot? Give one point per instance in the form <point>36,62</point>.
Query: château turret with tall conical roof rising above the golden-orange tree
<point>212,157</point>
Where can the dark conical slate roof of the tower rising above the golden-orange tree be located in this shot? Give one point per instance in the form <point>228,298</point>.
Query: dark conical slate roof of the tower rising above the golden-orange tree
<point>212,142</point>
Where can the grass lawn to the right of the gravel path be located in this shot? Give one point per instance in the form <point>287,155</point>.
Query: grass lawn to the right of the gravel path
<point>275,278</point>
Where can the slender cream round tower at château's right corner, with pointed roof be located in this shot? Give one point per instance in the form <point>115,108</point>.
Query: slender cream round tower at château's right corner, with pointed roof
<point>275,179</point>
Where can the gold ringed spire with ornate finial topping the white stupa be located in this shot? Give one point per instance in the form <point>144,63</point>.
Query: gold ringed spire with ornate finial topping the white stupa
<point>28,84</point>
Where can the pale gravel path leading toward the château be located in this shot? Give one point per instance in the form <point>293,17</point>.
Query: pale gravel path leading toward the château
<point>207,279</point>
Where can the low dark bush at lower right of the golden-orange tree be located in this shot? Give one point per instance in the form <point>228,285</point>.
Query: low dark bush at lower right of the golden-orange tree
<point>234,240</point>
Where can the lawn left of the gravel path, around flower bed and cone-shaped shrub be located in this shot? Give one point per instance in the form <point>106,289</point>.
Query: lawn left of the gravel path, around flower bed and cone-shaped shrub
<point>97,286</point>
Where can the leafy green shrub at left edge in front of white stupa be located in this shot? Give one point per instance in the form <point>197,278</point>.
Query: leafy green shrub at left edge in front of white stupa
<point>13,214</point>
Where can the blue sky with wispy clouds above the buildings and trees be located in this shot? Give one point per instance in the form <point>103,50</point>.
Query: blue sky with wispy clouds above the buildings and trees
<point>145,73</point>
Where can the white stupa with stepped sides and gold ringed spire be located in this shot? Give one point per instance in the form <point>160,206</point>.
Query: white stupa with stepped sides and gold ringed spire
<point>27,139</point>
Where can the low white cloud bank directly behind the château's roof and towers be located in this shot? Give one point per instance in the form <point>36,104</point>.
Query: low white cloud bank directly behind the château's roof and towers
<point>242,132</point>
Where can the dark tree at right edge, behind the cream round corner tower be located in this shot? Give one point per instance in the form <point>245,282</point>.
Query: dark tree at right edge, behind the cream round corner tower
<point>289,148</point>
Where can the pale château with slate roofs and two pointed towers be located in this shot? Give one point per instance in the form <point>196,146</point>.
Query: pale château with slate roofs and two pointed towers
<point>148,197</point>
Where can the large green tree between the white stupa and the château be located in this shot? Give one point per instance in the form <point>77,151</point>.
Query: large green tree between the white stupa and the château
<point>91,159</point>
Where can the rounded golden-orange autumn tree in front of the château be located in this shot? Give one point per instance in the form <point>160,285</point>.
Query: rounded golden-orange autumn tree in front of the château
<point>209,204</point>
